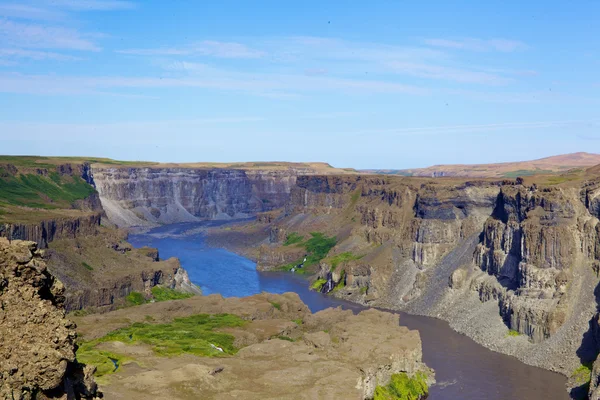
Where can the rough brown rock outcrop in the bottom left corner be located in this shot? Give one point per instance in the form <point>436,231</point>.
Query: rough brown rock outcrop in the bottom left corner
<point>37,349</point>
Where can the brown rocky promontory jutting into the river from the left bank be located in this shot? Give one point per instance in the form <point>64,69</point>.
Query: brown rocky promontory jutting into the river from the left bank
<point>99,271</point>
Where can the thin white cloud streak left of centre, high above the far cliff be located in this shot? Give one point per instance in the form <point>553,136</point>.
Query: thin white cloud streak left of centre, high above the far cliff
<point>205,48</point>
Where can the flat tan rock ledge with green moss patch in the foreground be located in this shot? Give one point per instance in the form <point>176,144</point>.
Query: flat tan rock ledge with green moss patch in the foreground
<point>260,347</point>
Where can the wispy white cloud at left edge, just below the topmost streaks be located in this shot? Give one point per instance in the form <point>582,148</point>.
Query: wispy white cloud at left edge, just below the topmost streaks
<point>28,35</point>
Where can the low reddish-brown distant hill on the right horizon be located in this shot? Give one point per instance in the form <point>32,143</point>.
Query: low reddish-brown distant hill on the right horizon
<point>548,165</point>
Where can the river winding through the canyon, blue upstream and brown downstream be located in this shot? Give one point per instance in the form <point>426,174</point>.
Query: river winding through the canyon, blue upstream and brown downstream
<point>464,369</point>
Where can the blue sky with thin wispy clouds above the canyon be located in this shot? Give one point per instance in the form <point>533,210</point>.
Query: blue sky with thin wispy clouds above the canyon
<point>379,84</point>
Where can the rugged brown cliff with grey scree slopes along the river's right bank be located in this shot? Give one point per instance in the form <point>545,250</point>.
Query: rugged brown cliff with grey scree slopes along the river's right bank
<point>488,256</point>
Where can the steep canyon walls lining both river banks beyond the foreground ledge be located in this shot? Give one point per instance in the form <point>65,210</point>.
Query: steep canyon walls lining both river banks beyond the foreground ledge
<point>510,262</point>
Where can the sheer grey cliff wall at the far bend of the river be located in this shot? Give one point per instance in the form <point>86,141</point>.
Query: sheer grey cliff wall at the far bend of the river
<point>142,196</point>
